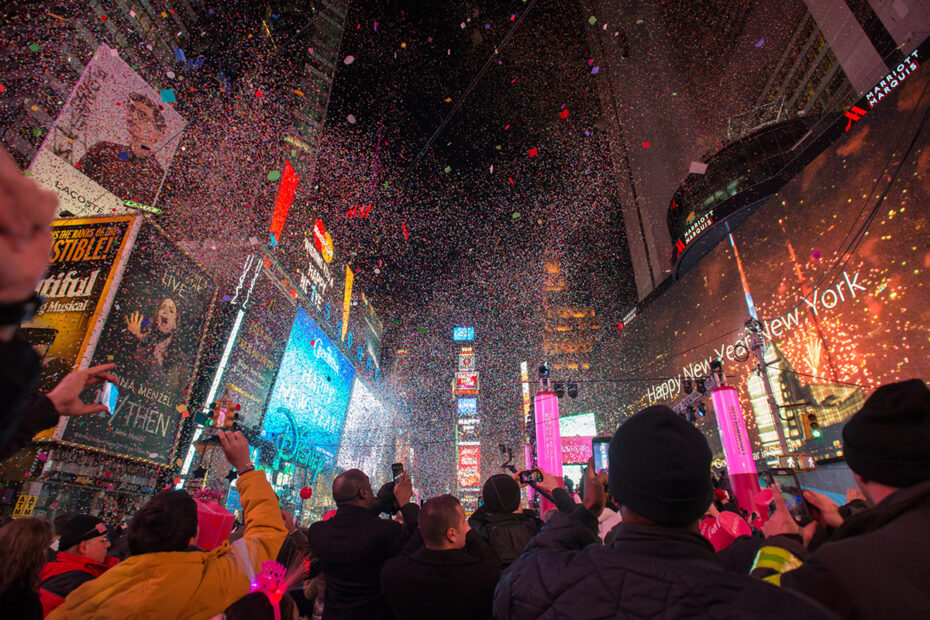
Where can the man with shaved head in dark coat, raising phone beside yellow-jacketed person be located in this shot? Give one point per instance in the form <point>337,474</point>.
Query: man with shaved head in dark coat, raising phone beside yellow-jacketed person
<point>354,545</point>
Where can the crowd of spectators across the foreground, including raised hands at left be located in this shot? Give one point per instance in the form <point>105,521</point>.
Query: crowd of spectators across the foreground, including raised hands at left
<point>628,544</point>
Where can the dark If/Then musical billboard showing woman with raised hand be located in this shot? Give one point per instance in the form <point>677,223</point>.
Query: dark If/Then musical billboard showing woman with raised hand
<point>153,334</point>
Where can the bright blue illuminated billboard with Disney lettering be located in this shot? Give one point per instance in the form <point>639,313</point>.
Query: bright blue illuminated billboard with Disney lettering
<point>308,403</point>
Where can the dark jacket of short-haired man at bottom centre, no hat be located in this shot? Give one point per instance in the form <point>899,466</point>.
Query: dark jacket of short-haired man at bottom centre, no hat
<point>453,584</point>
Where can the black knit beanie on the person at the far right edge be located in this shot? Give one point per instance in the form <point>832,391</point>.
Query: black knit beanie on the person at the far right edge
<point>888,440</point>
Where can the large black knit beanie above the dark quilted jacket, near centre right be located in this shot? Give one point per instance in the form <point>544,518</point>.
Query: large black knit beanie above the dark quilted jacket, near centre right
<point>660,467</point>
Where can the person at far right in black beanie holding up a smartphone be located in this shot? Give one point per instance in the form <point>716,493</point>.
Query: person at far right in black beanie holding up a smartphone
<point>874,565</point>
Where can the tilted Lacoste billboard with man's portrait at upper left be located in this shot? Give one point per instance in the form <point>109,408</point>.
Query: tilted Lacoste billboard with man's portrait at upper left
<point>114,129</point>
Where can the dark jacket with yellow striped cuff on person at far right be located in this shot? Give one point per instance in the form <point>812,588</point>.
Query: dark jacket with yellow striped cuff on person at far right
<point>875,565</point>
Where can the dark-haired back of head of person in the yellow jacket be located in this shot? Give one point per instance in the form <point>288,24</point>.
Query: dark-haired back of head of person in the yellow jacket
<point>167,522</point>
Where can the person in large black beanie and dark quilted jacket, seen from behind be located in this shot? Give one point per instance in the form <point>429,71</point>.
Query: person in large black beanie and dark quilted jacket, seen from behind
<point>659,566</point>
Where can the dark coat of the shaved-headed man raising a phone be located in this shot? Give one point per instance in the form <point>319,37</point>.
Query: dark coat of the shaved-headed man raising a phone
<point>352,548</point>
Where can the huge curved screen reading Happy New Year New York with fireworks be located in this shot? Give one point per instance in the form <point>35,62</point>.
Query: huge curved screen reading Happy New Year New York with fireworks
<point>841,312</point>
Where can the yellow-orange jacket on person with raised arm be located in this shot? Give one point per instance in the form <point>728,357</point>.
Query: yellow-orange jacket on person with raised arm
<point>186,584</point>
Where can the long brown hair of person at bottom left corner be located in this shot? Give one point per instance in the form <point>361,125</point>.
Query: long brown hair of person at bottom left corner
<point>22,551</point>
